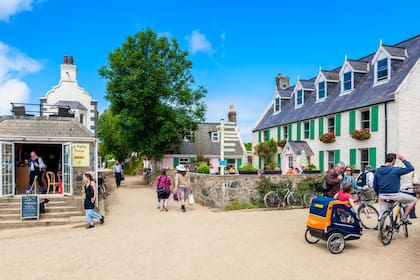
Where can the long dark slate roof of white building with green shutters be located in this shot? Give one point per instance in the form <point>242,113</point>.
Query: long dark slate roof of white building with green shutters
<point>363,95</point>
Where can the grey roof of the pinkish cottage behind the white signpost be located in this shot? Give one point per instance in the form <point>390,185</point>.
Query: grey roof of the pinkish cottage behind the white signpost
<point>204,145</point>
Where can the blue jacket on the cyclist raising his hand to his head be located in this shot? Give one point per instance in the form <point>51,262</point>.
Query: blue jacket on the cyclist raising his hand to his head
<point>387,178</point>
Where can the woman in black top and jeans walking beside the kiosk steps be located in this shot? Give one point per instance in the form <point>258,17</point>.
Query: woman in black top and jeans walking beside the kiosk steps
<point>90,191</point>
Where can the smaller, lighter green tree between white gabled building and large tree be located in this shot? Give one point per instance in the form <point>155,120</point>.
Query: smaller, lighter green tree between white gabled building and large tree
<point>111,134</point>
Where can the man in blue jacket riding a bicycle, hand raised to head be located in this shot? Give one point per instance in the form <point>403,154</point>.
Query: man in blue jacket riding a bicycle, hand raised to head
<point>386,184</point>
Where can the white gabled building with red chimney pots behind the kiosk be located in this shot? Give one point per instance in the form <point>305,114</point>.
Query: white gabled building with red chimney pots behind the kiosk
<point>68,94</point>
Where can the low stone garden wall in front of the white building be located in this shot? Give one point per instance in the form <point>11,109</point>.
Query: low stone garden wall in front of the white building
<point>220,191</point>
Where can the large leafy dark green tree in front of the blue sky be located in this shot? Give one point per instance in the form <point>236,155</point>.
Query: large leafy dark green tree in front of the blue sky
<point>152,92</point>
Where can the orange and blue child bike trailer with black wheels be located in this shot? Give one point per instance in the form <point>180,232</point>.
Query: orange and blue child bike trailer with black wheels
<point>333,221</point>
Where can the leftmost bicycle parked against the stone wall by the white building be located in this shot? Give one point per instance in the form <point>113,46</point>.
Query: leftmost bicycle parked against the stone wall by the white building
<point>282,198</point>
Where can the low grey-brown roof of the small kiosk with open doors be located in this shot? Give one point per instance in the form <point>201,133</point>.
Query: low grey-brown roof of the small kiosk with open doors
<point>42,127</point>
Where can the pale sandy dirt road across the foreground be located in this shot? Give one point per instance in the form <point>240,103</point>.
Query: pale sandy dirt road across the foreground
<point>139,242</point>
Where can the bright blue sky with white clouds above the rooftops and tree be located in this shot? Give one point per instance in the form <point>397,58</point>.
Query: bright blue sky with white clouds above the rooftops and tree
<point>237,47</point>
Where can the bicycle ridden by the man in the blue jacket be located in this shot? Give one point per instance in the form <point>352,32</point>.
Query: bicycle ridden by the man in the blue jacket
<point>388,223</point>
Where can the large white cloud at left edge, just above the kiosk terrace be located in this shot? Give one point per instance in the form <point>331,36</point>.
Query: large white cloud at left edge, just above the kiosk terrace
<point>14,65</point>
